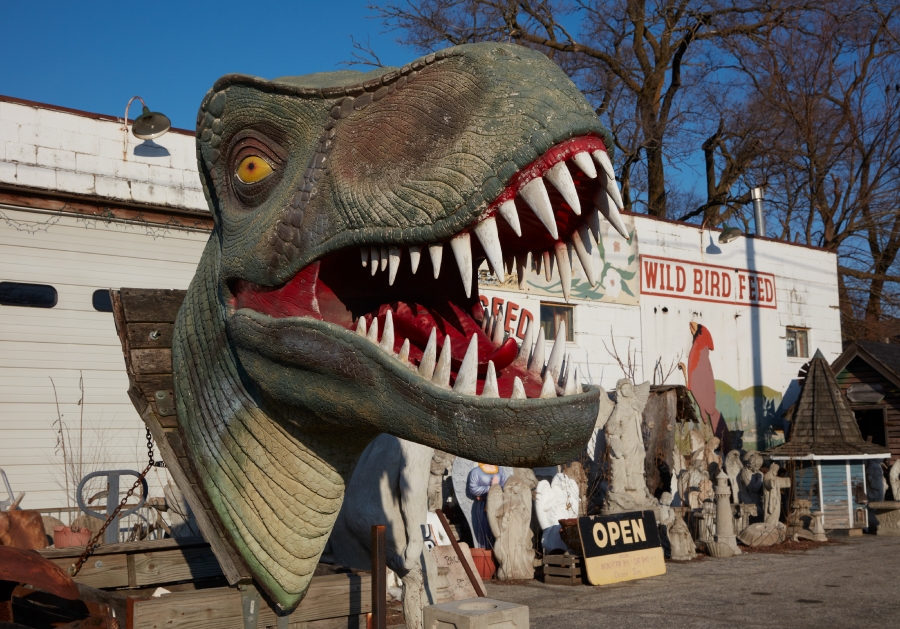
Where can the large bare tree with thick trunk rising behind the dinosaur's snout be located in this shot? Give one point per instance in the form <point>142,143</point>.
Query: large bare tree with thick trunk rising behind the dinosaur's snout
<point>643,63</point>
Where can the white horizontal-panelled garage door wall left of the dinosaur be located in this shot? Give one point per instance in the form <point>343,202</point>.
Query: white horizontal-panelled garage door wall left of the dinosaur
<point>72,341</point>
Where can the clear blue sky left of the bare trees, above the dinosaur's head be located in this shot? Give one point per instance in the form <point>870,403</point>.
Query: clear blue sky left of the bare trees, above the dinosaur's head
<point>94,55</point>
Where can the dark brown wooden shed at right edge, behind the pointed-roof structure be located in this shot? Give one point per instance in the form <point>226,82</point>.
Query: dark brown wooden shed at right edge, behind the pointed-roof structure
<point>868,374</point>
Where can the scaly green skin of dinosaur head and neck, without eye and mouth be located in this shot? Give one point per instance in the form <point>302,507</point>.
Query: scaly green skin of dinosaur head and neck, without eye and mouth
<point>276,411</point>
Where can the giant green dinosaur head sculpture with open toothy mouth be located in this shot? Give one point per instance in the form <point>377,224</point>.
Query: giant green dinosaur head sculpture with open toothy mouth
<point>320,187</point>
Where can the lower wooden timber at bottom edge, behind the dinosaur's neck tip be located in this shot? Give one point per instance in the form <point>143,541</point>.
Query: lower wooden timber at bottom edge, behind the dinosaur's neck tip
<point>220,608</point>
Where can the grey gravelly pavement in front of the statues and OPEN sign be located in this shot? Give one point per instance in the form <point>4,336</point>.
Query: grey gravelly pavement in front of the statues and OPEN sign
<point>850,582</point>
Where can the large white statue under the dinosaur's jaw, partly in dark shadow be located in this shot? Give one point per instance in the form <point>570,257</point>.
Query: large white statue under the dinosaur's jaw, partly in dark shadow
<point>389,486</point>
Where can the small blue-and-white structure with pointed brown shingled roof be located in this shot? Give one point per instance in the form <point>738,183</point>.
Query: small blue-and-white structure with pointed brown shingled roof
<point>826,450</point>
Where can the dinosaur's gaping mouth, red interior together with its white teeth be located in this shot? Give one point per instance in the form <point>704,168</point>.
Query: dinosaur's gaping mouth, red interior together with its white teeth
<point>426,313</point>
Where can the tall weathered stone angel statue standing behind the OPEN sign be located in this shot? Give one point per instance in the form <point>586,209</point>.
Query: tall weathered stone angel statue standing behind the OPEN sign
<point>628,487</point>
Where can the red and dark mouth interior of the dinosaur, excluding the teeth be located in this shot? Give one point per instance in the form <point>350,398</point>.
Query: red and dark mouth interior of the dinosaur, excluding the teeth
<point>338,289</point>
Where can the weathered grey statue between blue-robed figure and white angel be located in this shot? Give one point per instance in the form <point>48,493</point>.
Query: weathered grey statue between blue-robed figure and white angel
<point>509,514</point>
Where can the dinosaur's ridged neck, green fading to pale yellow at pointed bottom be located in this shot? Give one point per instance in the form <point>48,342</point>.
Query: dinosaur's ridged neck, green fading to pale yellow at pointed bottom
<point>276,488</point>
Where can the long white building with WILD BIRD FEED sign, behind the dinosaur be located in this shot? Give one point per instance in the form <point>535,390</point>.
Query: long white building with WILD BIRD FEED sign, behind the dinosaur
<point>77,216</point>
